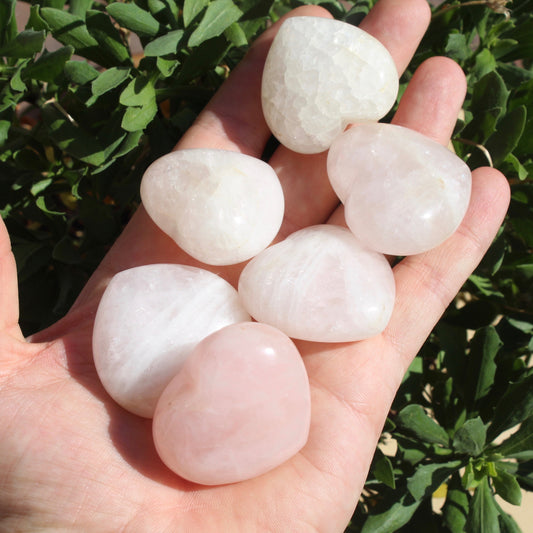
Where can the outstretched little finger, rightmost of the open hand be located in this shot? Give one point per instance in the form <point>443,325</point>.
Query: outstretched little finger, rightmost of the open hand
<point>426,283</point>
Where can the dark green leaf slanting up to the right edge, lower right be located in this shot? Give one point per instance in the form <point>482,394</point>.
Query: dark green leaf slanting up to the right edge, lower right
<point>514,407</point>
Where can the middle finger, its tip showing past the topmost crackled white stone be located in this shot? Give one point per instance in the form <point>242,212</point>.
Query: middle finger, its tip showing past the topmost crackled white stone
<point>309,198</point>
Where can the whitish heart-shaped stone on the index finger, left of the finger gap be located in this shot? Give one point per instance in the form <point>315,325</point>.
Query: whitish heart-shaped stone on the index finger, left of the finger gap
<point>221,207</point>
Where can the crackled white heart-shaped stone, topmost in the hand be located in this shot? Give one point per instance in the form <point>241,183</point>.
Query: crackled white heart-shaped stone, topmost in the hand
<point>321,75</point>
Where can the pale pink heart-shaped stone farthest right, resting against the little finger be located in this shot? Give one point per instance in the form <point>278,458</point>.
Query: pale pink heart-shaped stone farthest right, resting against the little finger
<point>403,192</point>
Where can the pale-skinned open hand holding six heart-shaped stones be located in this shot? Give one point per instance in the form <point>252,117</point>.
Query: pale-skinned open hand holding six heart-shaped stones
<point>73,460</point>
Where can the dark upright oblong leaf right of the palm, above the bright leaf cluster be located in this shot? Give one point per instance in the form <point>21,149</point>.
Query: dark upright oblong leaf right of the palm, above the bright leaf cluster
<point>481,368</point>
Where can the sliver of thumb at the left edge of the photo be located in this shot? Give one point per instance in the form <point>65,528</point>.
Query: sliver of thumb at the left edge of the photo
<point>9,305</point>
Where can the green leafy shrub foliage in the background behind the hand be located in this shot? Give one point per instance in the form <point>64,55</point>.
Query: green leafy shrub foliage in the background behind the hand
<point>76,136</point>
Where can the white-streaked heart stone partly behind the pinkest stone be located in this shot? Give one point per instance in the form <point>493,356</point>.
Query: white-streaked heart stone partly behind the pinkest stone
<point>149,320</point>
